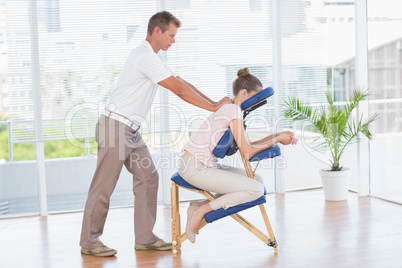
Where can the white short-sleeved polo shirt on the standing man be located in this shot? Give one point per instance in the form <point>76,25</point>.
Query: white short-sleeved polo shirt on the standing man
<point>137,84</point>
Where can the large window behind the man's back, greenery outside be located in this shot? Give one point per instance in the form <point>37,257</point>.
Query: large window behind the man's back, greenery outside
<point>63,59</point>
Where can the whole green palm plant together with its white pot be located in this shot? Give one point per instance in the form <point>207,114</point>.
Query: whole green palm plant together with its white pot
<point>337,129</point>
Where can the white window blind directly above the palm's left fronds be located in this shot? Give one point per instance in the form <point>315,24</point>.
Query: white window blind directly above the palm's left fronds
<point>303,49</point>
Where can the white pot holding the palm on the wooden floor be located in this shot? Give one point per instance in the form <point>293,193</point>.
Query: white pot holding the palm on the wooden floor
<point>335,184</point>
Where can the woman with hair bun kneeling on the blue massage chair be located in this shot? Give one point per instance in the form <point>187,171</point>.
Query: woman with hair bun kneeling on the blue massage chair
<point>200,167</point>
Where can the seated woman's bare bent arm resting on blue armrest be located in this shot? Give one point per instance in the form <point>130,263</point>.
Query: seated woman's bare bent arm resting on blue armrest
<point>248,149</point>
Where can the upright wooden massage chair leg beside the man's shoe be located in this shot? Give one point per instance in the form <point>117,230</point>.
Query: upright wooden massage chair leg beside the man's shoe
<point>176,230</point>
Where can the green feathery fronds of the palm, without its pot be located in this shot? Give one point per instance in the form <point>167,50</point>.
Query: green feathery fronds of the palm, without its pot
<point>333,122</point>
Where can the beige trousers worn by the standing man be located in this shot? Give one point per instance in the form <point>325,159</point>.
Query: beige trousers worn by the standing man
<point>117,145</point>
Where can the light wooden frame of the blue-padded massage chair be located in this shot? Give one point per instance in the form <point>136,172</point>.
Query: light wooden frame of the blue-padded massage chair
<point>178,237</point>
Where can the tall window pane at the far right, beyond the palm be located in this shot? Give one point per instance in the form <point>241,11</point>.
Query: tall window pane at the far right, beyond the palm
<point>385,81</point>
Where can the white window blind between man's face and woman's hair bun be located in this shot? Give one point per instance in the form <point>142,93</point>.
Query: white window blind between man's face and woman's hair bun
<point>217,39</point>
